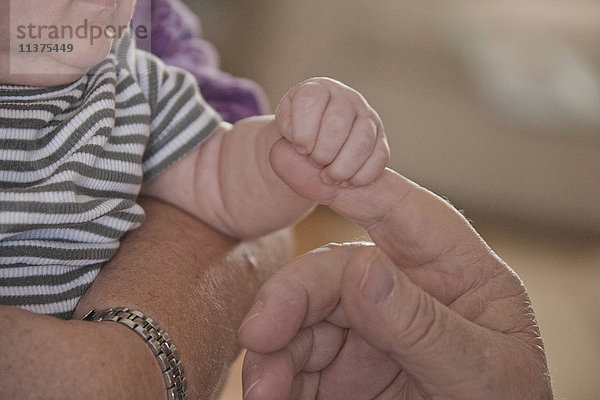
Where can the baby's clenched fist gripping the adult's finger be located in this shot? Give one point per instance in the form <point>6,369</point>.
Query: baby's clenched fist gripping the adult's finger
<point>334,126</point>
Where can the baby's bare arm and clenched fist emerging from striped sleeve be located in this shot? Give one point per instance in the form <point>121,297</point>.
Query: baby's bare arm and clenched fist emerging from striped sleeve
<point>323,137</point>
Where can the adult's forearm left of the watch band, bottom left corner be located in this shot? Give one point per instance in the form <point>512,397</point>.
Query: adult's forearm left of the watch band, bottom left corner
<point>47,358</point>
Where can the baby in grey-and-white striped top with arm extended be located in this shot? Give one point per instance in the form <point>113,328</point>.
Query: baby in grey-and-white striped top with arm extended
<point>84,131</point>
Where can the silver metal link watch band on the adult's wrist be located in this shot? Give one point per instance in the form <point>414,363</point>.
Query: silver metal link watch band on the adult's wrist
<point>159,342</point>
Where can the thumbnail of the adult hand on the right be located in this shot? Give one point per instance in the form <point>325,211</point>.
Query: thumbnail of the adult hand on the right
<point>377,281</point>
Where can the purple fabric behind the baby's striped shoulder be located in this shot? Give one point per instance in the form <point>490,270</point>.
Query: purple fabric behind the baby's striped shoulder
<point>176,39</point>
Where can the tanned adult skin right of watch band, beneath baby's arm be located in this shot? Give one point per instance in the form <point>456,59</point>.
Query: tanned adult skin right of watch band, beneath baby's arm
<point>194,282</point>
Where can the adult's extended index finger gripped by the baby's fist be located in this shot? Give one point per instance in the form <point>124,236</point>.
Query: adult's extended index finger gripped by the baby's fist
<point>412,225</point>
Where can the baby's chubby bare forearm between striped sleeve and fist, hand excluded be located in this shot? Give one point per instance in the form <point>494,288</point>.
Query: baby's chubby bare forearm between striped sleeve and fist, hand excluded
<point>228,182</point>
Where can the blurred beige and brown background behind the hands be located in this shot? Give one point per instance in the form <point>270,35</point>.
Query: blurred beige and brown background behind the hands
<point>494,105</point>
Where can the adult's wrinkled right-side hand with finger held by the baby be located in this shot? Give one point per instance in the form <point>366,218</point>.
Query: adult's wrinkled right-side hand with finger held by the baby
<point>431,313</point>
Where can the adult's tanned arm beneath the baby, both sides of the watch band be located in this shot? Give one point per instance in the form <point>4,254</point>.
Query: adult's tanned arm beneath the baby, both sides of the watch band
<point>194,282</point>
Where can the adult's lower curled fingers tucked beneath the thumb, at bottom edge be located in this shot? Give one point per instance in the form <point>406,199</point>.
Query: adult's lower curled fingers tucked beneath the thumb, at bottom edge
<point>326,357</point>
